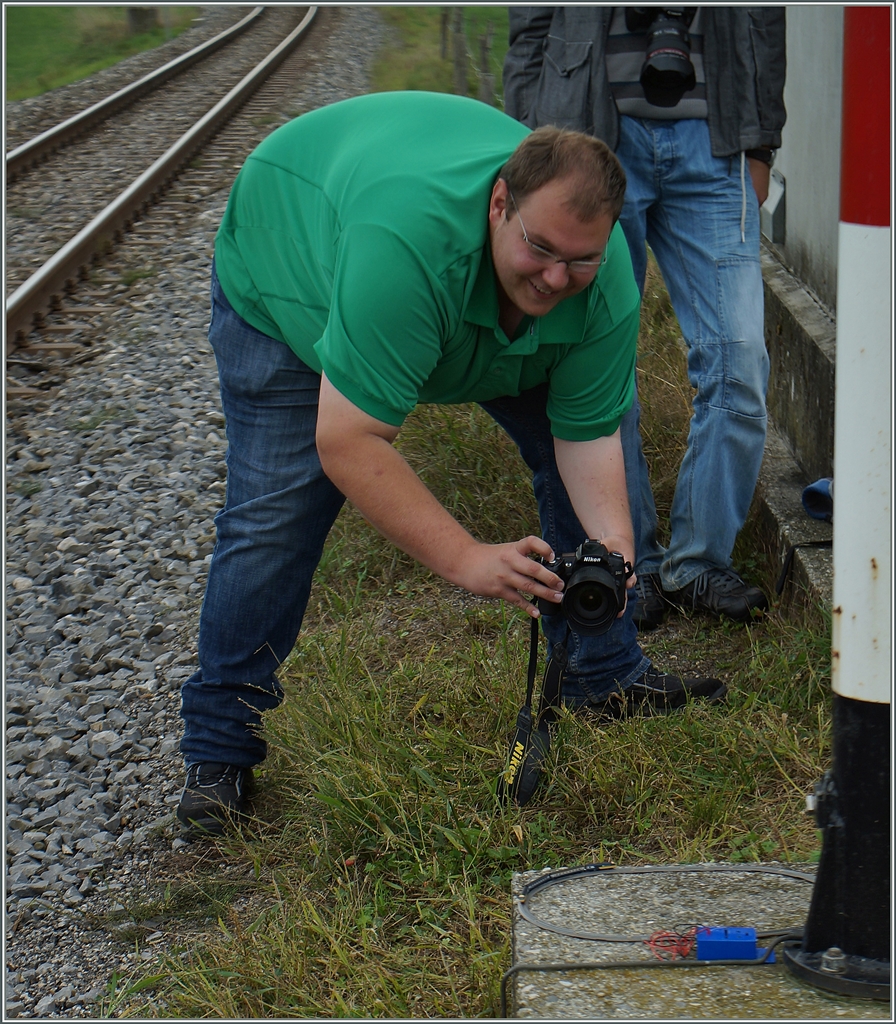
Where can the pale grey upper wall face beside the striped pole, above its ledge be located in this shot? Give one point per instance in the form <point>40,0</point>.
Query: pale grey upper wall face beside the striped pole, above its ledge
<point>809,158</point>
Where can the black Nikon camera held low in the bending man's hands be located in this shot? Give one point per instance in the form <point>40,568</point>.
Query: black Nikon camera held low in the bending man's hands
<point>594,591</point>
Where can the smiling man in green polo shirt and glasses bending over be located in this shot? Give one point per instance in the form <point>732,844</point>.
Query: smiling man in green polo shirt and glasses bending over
<point>390,250</point>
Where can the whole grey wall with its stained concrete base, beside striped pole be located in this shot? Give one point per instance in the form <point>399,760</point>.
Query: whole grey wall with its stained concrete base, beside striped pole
<point>800,275</point>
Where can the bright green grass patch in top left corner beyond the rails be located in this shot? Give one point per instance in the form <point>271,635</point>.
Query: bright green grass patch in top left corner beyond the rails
<point>50,47</point>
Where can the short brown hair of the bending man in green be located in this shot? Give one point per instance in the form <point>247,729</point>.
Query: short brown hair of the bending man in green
<point>551,153</point>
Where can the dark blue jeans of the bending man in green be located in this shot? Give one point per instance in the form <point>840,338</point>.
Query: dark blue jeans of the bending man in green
<point>280,507</point>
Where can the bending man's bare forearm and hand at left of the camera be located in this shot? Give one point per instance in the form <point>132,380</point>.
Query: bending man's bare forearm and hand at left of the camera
<point>357,454</point>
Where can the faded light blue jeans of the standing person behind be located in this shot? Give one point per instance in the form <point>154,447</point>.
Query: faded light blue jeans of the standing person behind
<point>689,206</point>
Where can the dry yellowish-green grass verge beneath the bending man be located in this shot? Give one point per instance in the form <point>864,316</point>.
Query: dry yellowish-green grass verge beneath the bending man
<point>376,872</point>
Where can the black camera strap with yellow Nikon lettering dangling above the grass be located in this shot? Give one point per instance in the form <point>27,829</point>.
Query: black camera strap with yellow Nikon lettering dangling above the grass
<point>532,741</point>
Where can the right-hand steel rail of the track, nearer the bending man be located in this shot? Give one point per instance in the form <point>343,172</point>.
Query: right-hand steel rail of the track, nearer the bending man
<point>34,297</point>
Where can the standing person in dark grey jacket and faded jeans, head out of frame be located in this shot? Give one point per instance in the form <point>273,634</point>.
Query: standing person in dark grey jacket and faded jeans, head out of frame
<point>692,101</point>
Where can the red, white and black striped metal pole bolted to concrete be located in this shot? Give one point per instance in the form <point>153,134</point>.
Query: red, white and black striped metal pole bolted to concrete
<point>846,943</point>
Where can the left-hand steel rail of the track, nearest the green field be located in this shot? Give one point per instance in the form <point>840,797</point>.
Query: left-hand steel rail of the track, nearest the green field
<point>41,146</point>
